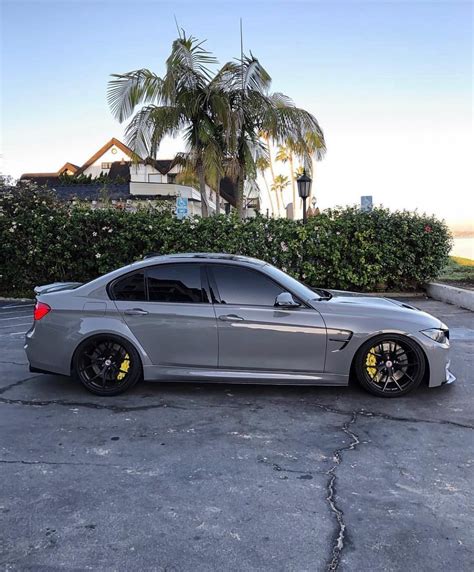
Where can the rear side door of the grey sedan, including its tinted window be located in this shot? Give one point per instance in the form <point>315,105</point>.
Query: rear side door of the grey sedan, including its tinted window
<point>167,308</point>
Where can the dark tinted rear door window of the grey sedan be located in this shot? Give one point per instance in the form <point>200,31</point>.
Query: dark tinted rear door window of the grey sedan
<point>175,283</point>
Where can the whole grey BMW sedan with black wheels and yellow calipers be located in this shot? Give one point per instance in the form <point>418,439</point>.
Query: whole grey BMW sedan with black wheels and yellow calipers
<point>226,318</point>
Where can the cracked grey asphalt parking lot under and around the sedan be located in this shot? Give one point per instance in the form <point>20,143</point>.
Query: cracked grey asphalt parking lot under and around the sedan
<point>218,477</point>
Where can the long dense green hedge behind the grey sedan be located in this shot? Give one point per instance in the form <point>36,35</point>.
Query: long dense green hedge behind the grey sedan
<point>43,240</point>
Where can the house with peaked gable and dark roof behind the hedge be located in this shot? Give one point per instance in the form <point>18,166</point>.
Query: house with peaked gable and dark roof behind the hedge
<point>129,177</point>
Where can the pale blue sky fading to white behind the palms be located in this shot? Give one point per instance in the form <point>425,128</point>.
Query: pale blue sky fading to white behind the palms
<point>389,82</point>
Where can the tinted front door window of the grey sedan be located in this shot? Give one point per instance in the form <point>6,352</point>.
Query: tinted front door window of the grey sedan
<point>247,287</point>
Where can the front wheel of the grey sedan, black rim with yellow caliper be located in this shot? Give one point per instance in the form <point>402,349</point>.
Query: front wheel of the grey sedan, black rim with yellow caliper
<point>390,365</point>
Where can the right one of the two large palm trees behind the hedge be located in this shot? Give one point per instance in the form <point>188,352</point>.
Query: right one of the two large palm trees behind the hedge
<point>256,111</point>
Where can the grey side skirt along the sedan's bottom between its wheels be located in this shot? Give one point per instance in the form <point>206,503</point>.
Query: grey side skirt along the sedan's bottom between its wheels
<point>155,373</point>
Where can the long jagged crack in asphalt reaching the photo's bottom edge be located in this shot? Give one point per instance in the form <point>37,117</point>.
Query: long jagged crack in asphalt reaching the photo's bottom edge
<point>340,533</point>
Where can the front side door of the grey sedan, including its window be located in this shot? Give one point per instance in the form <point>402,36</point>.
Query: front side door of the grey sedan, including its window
<point>256,335</point>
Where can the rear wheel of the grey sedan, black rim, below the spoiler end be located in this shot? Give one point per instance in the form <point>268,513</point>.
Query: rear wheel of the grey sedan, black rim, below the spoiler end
<point>106,365</point>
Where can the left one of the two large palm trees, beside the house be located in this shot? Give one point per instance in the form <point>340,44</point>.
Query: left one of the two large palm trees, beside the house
<point>185,101</point>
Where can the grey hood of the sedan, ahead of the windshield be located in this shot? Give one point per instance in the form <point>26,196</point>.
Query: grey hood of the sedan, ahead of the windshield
<point>354,304</point>
